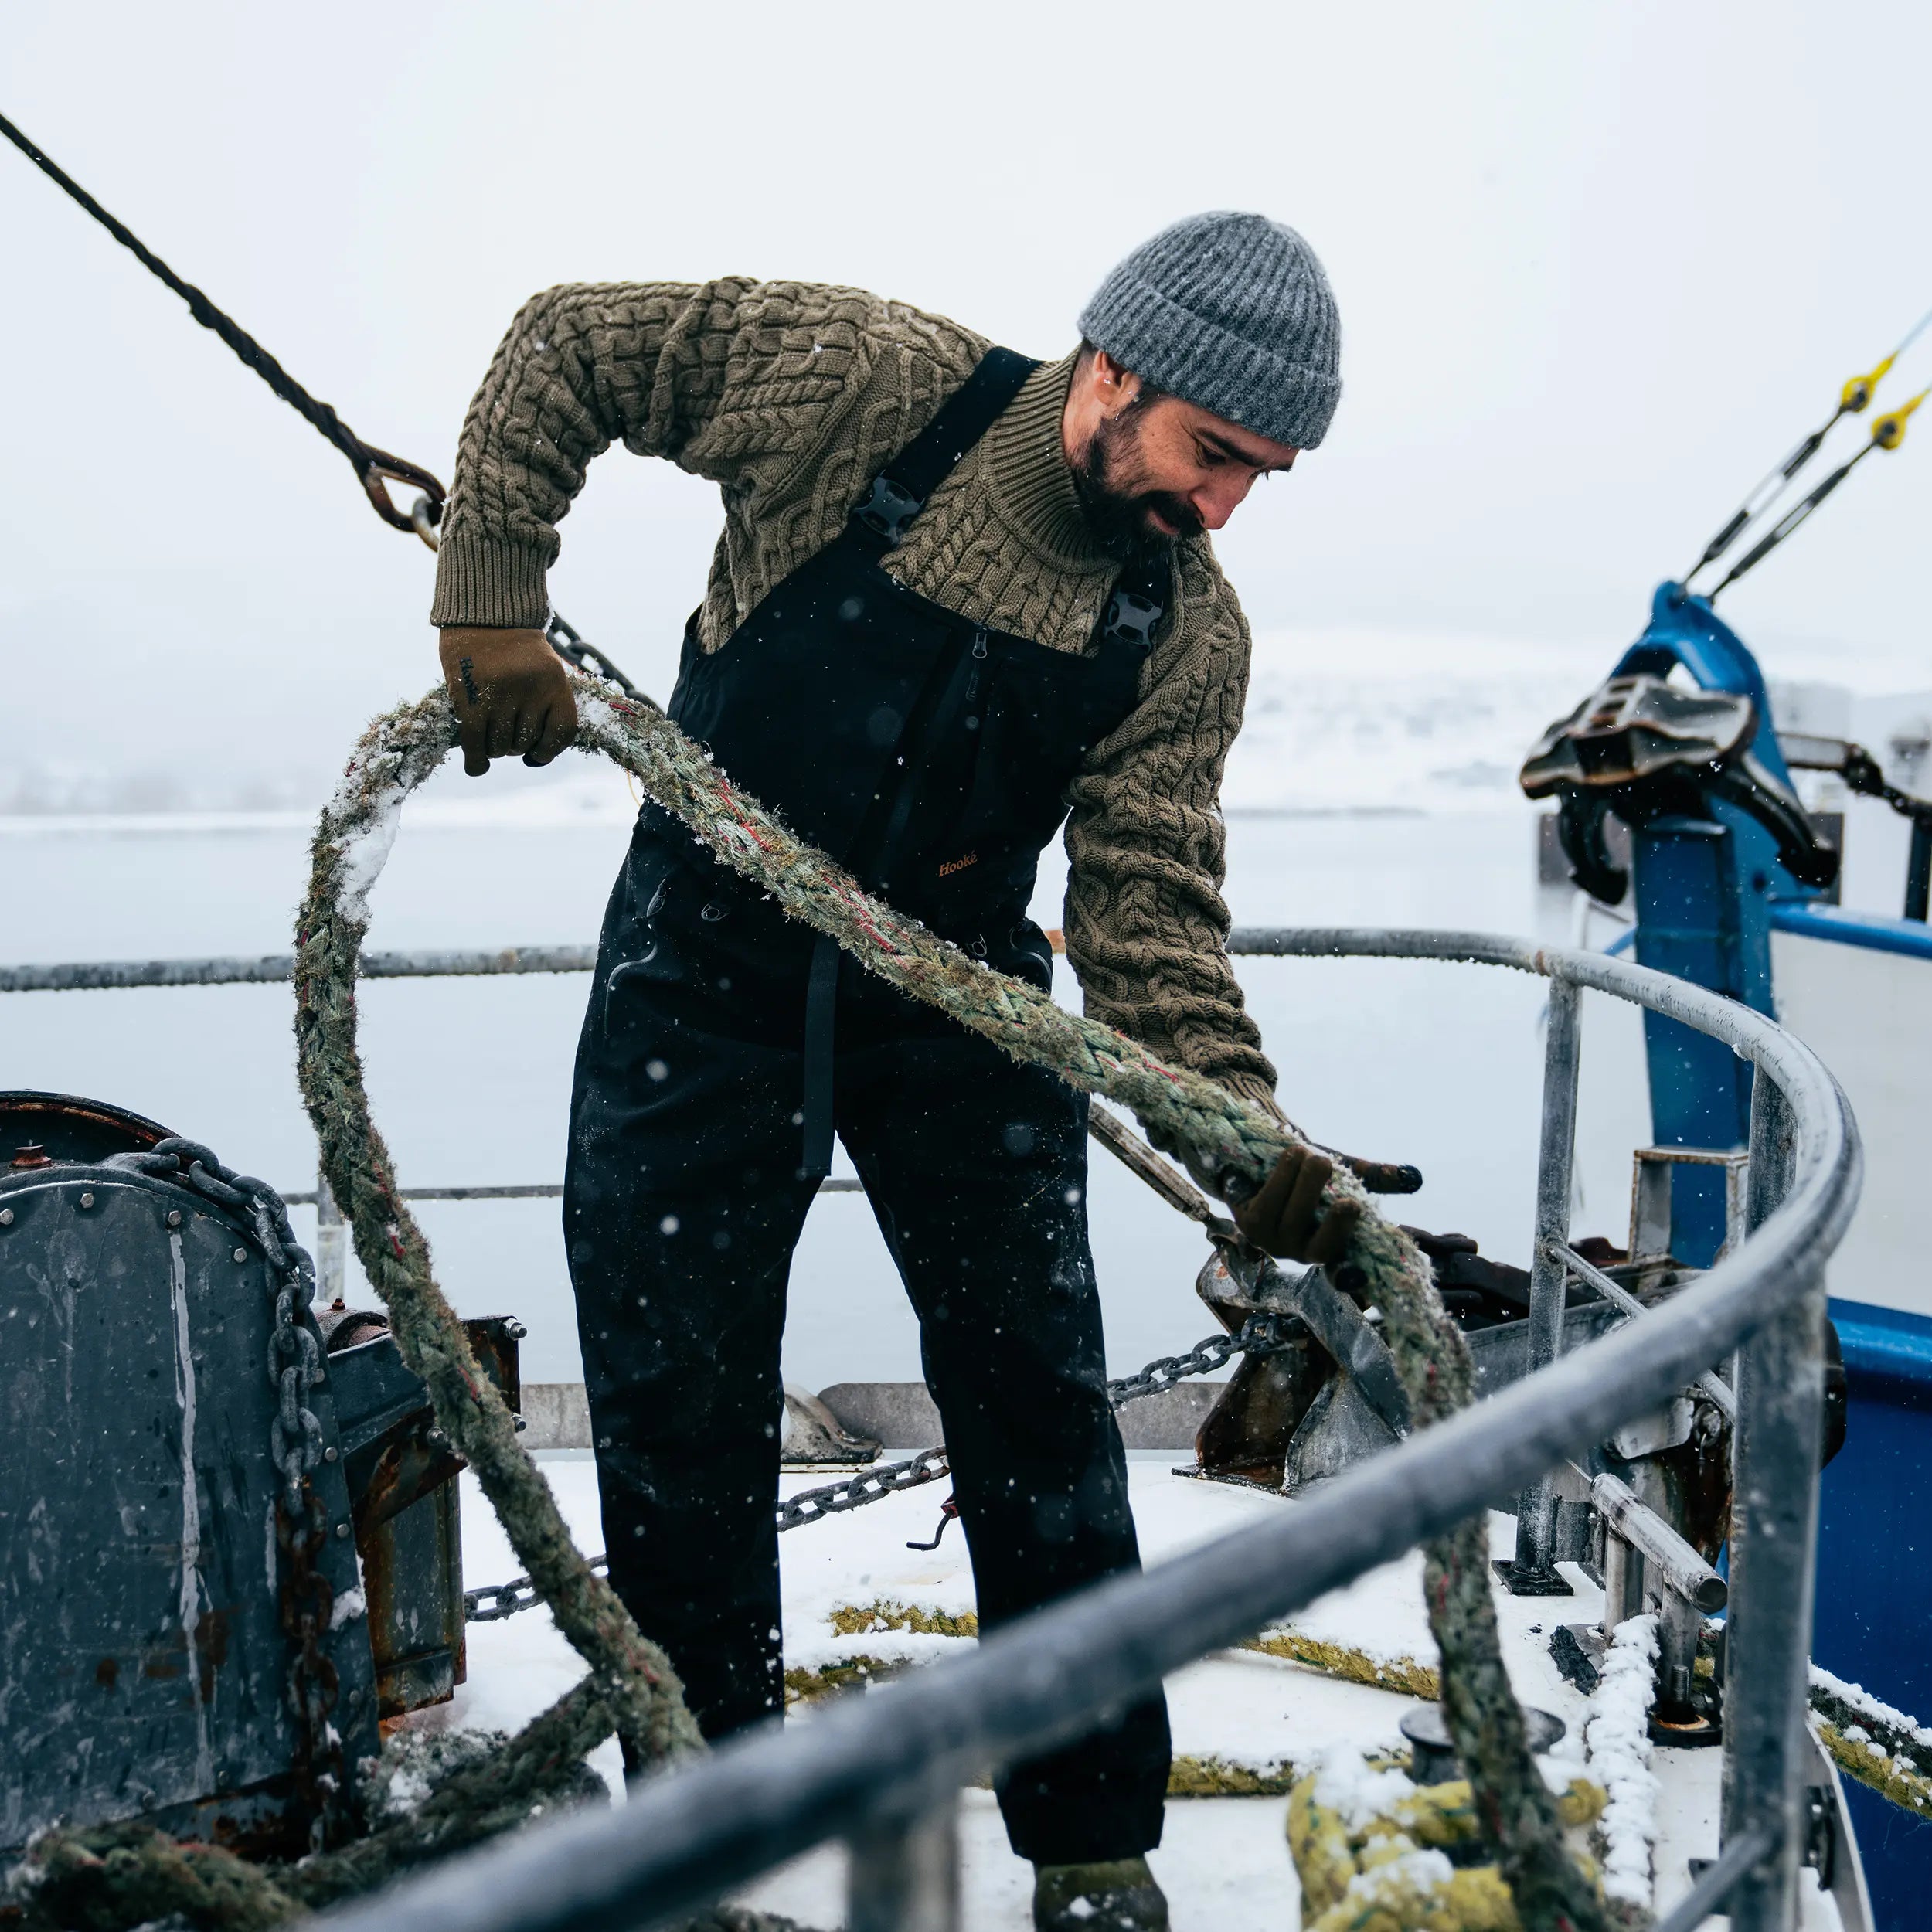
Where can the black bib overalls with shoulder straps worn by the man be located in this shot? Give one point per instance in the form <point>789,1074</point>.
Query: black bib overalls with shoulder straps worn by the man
<point>725,1042</point>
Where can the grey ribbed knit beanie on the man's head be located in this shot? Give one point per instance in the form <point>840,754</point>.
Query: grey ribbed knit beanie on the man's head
<point>1232,314</point>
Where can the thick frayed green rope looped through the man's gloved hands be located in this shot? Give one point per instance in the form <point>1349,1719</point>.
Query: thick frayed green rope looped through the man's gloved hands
<point>1178,1108</point>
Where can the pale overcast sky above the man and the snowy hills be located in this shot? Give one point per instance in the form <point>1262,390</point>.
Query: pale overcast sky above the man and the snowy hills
<point>1599,268</point>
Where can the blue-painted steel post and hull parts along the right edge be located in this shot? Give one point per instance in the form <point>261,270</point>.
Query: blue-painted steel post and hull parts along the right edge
<point>1709,892</point>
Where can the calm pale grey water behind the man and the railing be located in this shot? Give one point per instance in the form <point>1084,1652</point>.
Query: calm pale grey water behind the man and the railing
<point>470,1077</point>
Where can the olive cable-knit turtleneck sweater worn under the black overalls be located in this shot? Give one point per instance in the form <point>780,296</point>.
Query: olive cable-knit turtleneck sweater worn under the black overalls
<point>791,397</point>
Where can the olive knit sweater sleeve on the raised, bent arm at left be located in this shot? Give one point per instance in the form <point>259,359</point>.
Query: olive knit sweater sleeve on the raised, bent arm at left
<point>729,380</point>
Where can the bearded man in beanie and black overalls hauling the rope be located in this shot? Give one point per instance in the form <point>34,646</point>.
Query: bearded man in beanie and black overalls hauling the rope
<point>959,596</point>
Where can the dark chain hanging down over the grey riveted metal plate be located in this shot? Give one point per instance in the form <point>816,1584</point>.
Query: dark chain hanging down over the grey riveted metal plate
<point>297,1448</point>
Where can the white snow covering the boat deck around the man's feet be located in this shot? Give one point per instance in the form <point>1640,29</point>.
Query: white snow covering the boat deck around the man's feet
<point>1224,1861</point>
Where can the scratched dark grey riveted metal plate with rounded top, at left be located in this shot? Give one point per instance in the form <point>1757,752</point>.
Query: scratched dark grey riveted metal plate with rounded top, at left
<point>142,1659</point>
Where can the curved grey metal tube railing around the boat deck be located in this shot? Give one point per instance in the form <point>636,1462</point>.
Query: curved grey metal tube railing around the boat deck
<point>884,1775</point>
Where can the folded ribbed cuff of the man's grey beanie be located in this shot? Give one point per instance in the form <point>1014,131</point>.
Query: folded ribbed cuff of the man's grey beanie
<point>1239,382</point>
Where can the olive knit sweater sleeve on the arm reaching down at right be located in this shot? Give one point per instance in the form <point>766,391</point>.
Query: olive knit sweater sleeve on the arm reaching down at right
<point>1147,926</point>
